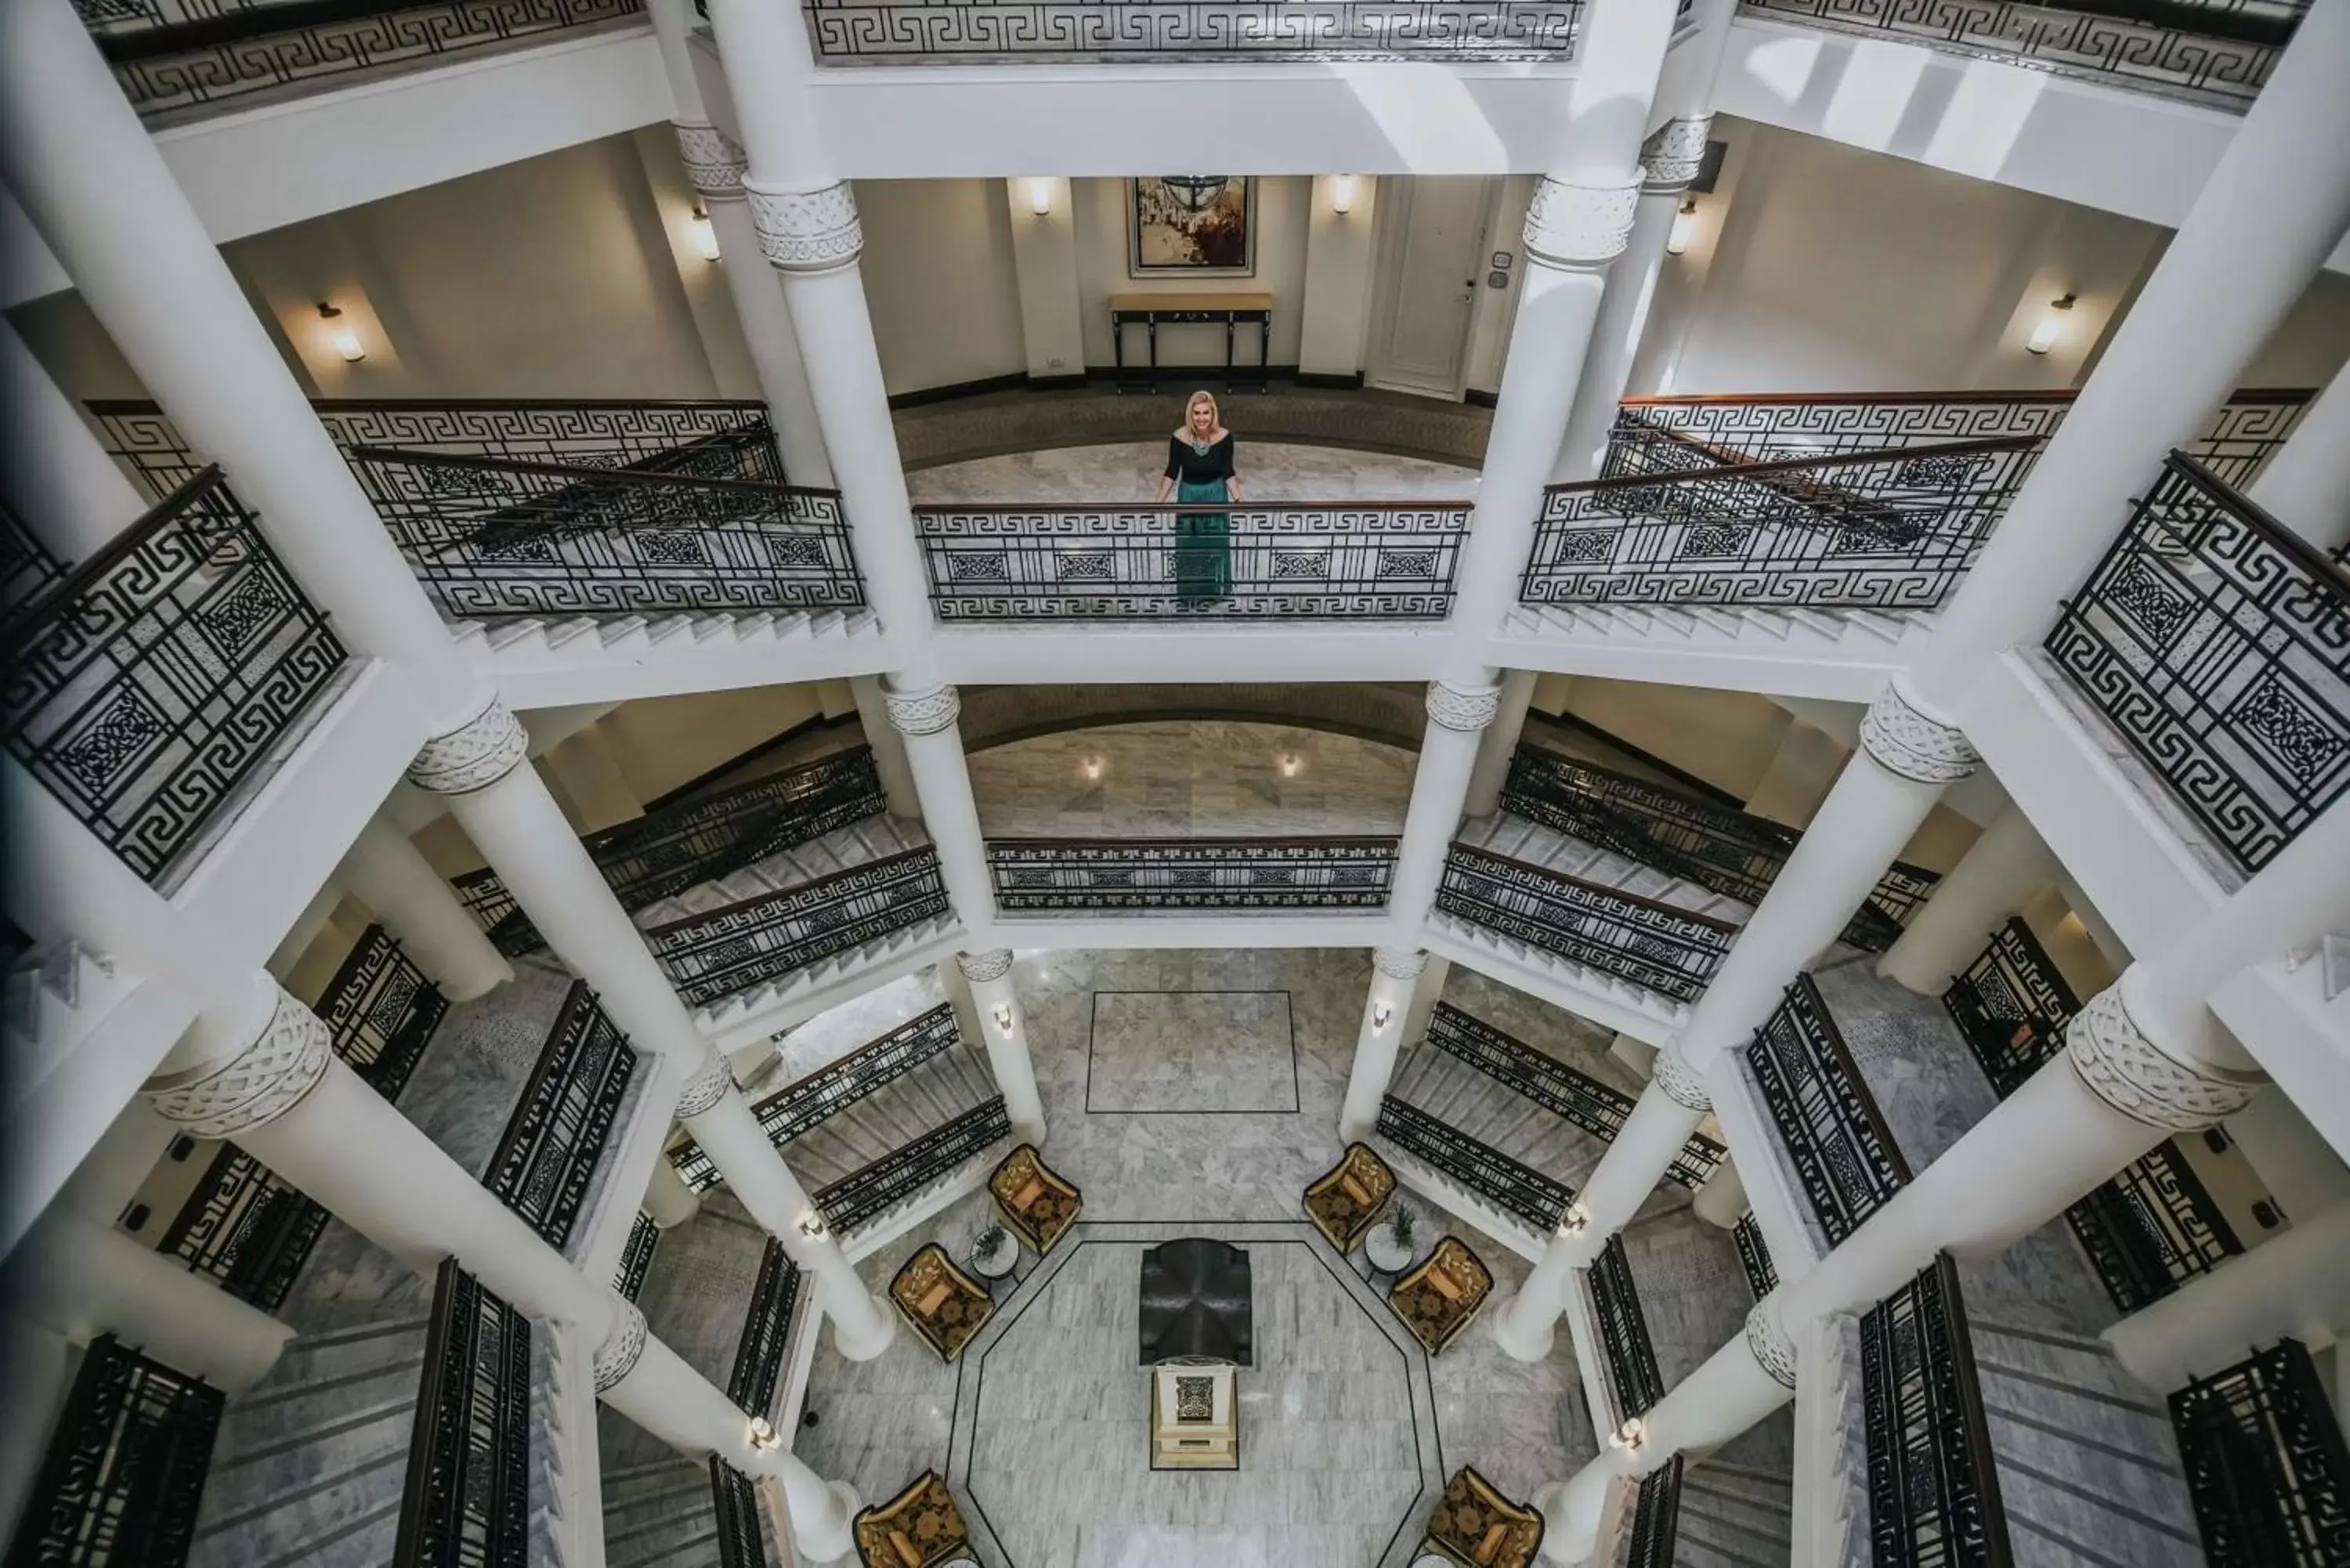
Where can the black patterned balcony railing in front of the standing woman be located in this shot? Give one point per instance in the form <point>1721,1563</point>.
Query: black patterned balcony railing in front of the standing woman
<point>1359,561</point>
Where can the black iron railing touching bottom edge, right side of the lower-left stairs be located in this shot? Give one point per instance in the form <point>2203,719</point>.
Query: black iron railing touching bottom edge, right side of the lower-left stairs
<point>469,1489</point>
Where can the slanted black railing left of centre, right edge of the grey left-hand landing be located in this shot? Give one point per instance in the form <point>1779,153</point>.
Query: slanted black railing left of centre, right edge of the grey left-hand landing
<point>553,1141</point>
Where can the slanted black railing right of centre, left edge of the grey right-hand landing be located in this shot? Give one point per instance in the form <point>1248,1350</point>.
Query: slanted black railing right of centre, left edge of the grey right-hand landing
<point>1834,1132</point>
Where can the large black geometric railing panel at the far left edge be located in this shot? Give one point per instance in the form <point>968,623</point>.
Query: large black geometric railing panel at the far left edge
<point>152,683</point>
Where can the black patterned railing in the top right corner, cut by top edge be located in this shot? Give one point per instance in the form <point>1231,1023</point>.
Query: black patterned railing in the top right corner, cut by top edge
<point>2203,53</point>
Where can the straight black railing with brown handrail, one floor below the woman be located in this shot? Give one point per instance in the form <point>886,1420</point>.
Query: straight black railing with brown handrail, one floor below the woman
<point>1110,876</point>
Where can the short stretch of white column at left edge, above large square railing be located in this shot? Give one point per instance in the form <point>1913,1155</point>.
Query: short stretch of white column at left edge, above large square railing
<point>58,478</point>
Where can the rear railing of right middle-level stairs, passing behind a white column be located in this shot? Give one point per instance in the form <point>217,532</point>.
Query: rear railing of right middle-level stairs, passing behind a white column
<point>1731,852</point>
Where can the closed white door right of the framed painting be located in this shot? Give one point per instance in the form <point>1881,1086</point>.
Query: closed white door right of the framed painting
<point>1432,253</point>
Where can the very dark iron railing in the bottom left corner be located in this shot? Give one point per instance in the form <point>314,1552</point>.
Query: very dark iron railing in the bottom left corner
<point>126,1468</point>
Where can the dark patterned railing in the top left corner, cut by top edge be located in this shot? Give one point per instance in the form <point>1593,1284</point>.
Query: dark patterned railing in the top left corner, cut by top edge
<point>175,55</point>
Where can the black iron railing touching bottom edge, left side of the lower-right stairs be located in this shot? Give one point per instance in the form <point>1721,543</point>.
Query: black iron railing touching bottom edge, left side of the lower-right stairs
<point>1933,1482</point>
